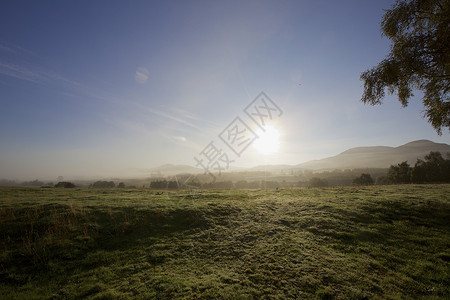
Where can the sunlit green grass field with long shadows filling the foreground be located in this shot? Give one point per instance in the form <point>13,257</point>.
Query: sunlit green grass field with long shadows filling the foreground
<point>350,242</point>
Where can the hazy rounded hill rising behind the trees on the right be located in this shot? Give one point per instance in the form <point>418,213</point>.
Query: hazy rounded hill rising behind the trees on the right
<point>377,156</point>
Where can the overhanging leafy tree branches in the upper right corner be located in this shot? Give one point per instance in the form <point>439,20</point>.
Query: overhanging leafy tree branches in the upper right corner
<point>419,58</point>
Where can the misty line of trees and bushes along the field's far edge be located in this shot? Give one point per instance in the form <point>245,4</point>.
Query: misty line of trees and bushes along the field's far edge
<point>434,168</point>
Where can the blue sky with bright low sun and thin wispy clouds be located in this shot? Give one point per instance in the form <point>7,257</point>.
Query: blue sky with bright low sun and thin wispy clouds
<point>114,88</point>
